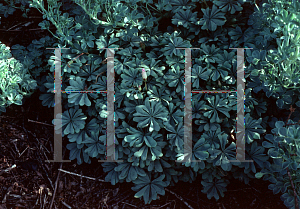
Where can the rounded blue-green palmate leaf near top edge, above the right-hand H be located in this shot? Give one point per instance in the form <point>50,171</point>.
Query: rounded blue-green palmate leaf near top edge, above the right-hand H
<point>212,18</point>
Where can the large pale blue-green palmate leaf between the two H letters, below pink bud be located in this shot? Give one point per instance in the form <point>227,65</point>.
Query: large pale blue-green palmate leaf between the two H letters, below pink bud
<point>151,114</point>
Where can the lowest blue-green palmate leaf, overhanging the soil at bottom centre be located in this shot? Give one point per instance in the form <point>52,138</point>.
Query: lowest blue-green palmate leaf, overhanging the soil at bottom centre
<point>149,189</point>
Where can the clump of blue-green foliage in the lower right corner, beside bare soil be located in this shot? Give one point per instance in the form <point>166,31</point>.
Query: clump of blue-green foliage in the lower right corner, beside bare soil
<point>283,149</point>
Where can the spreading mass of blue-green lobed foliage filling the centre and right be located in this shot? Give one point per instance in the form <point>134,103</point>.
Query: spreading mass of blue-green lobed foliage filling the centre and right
<point>149,84</point>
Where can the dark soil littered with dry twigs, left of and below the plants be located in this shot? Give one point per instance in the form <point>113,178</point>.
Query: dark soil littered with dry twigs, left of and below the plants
<point>27,143</point>
